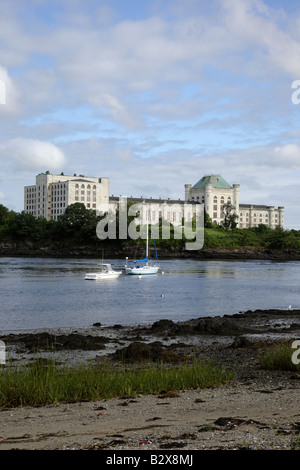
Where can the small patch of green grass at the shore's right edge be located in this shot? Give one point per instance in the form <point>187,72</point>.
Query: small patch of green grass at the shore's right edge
<point>279,357</point>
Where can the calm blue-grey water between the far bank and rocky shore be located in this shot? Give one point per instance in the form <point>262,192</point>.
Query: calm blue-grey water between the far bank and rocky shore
<point>51,293</point>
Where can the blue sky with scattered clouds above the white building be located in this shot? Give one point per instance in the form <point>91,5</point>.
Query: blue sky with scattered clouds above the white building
<point>153,95</point>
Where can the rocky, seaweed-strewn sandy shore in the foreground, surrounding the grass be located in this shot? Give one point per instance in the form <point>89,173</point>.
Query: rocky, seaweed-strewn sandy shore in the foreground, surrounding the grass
<point>258,409</point>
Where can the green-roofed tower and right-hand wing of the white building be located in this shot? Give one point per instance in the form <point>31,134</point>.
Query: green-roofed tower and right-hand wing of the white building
<point>213,191</point>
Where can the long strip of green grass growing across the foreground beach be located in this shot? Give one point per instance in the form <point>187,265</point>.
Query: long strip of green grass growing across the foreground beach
<point>40,384</point>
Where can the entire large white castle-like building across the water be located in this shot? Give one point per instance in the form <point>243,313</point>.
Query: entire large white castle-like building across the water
<point>51,194</point>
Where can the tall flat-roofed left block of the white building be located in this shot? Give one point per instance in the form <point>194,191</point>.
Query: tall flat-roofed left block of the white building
<point>52,194</point>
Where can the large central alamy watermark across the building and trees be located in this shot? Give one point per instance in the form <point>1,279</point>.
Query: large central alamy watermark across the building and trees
<point>114,223</point>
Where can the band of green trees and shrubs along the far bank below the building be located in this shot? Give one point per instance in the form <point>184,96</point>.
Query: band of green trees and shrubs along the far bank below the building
<point>78,226</point>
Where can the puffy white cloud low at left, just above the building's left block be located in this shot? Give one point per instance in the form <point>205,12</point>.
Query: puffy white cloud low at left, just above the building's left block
<point>33,154</point>
